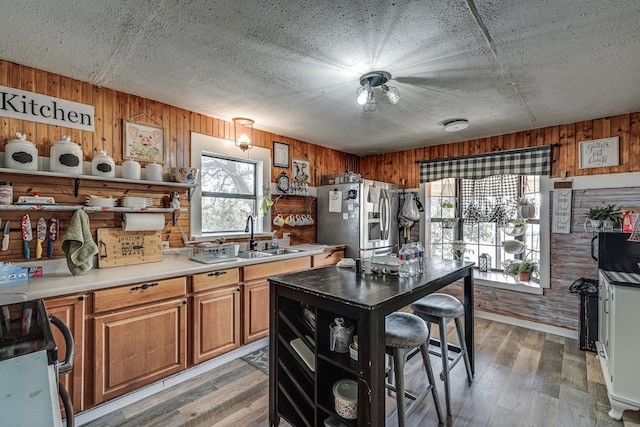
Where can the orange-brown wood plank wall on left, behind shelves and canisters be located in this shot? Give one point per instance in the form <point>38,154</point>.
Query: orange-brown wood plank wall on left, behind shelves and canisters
<point>111,107</point>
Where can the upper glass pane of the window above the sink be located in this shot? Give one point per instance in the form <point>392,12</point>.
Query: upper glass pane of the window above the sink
<point>221,175</point>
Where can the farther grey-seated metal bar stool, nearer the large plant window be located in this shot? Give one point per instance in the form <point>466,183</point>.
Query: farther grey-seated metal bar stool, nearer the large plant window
<point>441,309</point>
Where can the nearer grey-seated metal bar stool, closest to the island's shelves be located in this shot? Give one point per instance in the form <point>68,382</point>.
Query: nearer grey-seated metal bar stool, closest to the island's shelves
<point>404,332</point>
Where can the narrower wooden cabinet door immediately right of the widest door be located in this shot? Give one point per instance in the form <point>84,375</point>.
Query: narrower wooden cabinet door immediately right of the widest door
<point>216,323</point>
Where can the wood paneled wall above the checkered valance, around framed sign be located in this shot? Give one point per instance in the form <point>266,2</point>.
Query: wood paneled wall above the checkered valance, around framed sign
<point>394,167</point>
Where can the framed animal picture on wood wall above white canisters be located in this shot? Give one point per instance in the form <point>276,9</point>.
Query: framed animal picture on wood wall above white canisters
<point>143,142</point>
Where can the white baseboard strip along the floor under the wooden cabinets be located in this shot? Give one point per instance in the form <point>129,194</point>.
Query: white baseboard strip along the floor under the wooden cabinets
<point>144,392</point>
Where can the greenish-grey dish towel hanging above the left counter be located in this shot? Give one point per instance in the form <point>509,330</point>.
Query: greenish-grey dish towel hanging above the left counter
<point>78,245</point>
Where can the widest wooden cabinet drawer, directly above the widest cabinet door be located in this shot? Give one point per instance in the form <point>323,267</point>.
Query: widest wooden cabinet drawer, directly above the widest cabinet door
<point>139,293</point>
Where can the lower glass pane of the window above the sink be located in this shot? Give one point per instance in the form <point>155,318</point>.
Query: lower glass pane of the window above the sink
<point>225,214</point>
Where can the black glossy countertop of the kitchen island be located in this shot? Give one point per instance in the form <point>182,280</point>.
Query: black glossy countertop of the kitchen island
<point>372,291</point>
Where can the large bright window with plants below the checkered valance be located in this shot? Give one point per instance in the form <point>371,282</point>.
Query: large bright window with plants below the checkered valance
<point>481,213</point>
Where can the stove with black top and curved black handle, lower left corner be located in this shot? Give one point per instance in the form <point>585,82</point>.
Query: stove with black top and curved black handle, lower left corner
<point>29,367</point>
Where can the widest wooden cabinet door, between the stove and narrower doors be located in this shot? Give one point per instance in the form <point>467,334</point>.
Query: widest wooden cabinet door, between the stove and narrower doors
<point>136,347</point>
